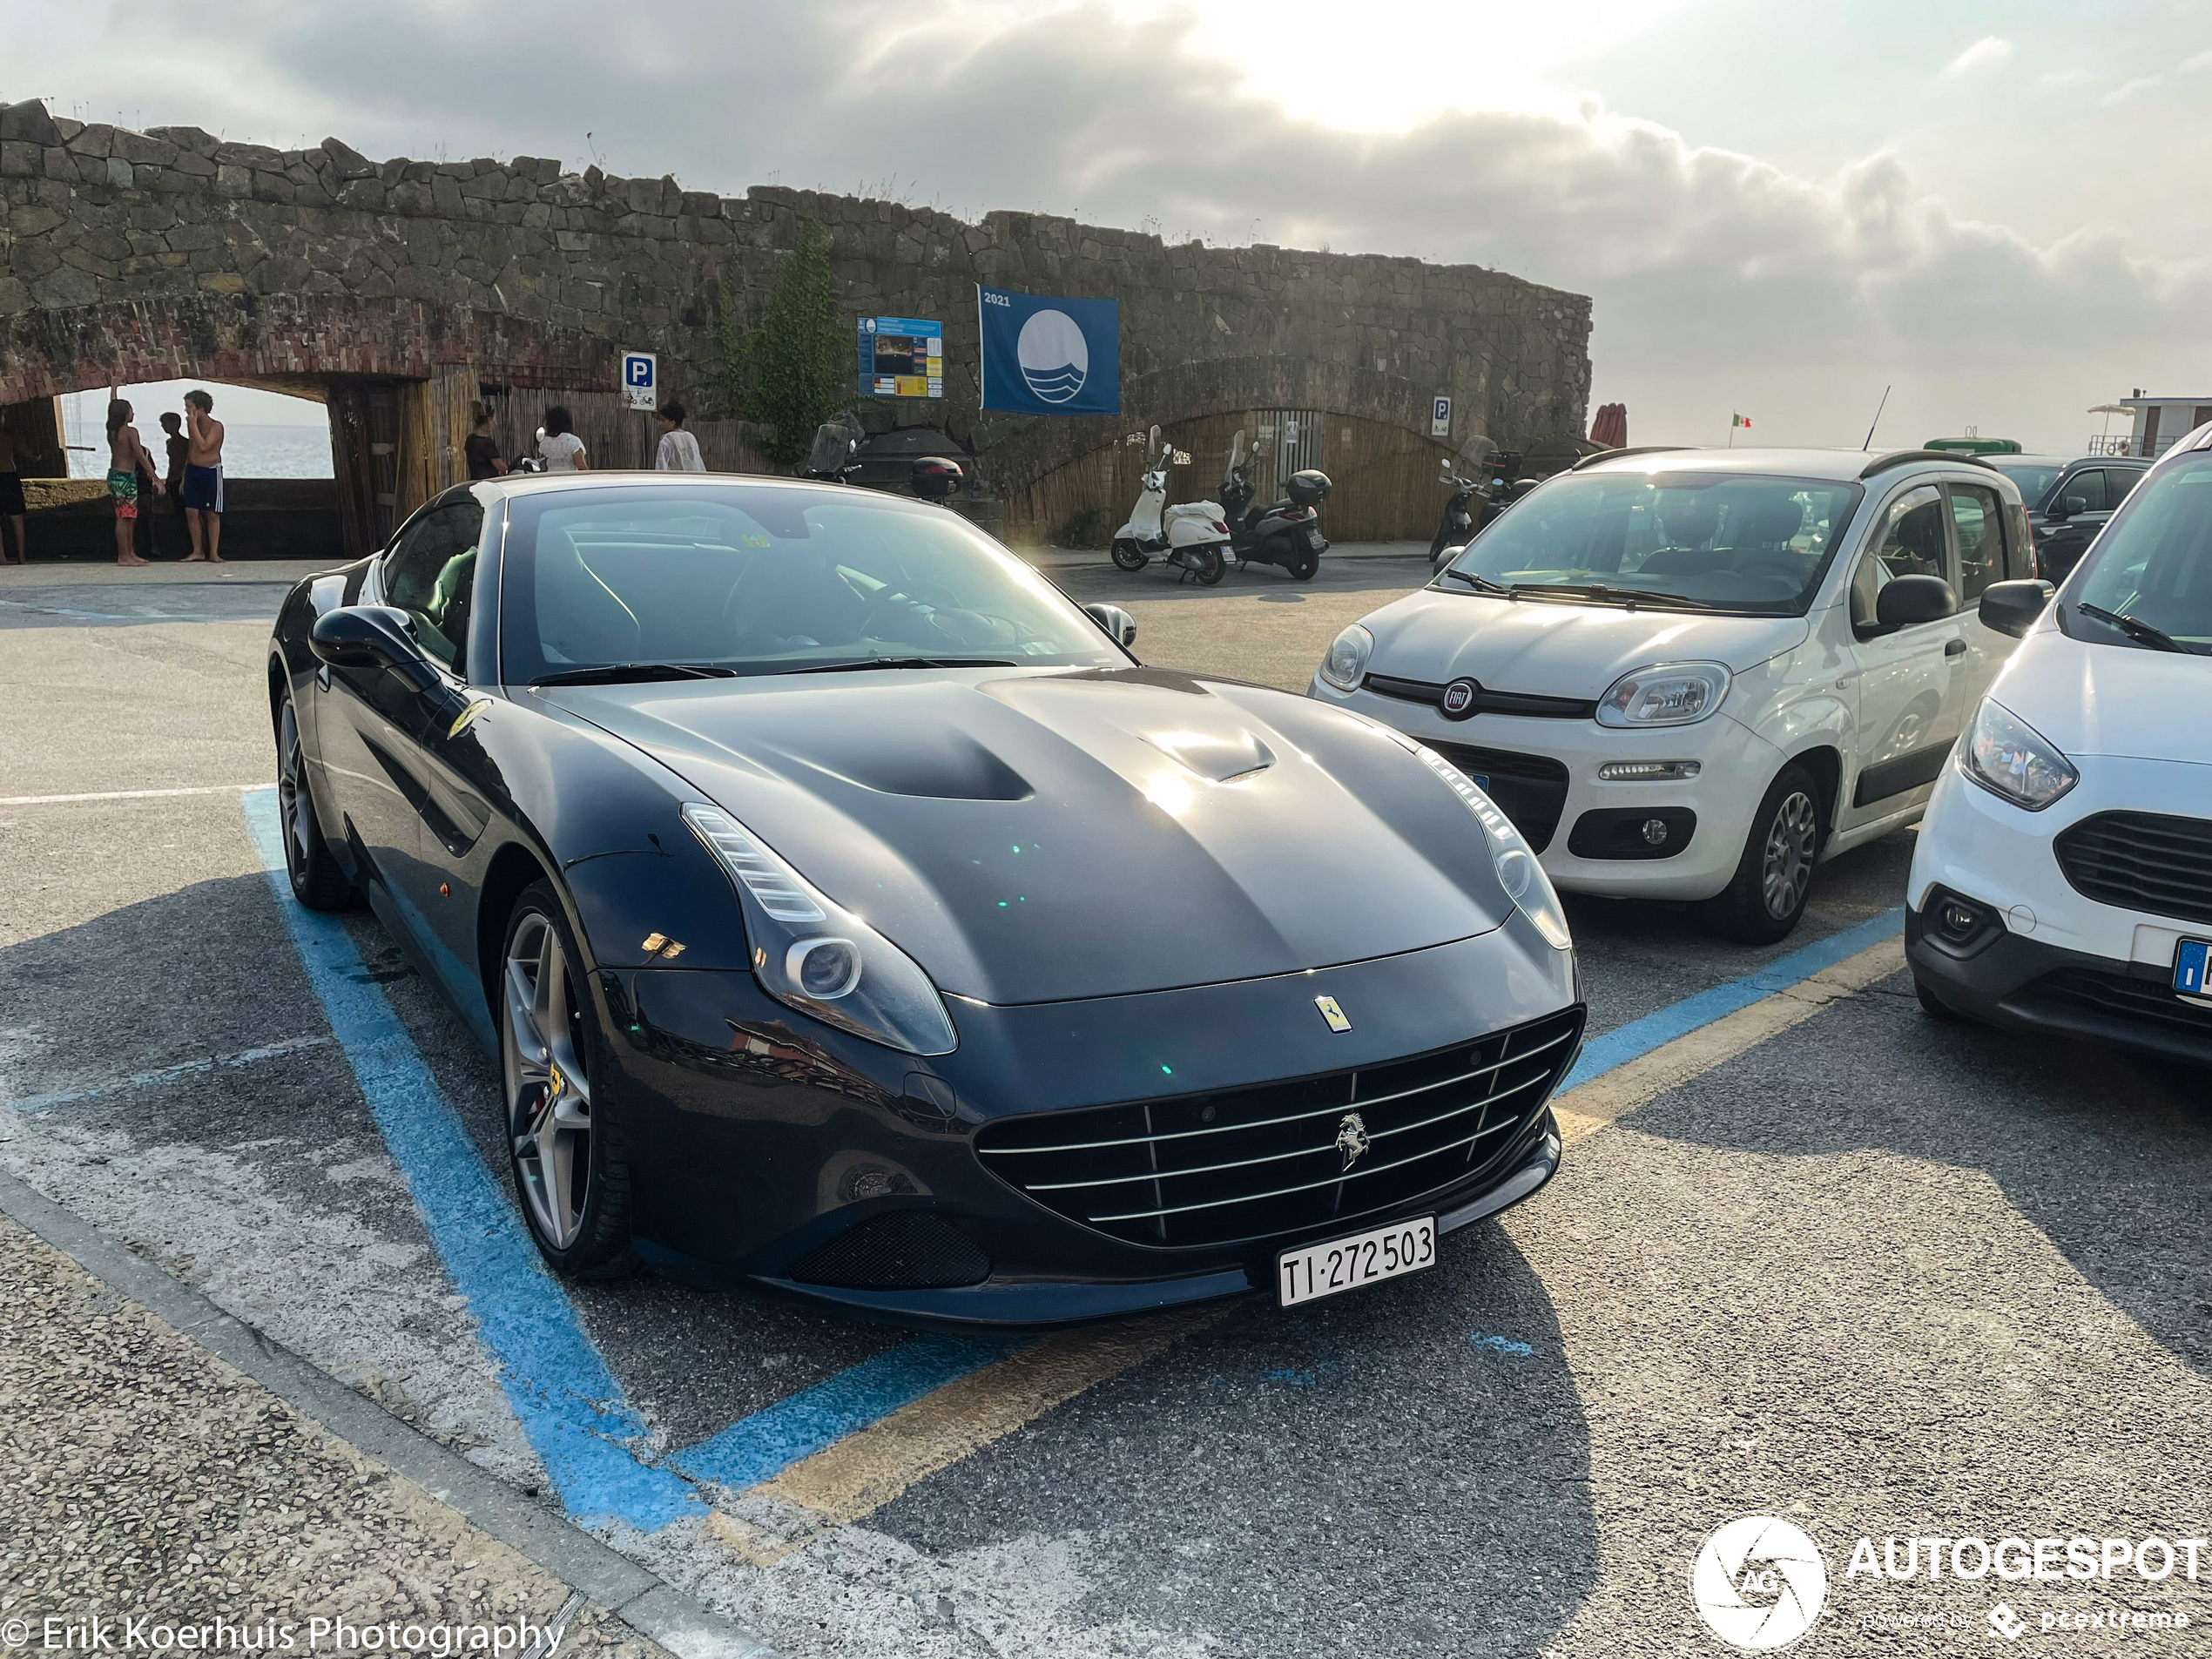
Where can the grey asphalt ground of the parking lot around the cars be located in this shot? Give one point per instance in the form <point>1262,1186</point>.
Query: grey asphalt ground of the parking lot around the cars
<point>1861,1271</point>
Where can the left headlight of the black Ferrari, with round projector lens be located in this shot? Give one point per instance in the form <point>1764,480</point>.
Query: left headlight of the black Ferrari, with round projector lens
<point>817,957</point>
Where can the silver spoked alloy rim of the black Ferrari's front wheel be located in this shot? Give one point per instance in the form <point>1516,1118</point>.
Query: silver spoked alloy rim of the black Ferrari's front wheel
<point>547,1089</point>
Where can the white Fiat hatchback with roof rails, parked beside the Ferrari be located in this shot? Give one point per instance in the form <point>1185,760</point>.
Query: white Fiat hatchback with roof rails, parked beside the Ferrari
<point>1698,674</point>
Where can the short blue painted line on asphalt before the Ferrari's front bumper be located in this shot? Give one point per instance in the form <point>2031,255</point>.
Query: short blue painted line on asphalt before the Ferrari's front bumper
<point>773,1439</point>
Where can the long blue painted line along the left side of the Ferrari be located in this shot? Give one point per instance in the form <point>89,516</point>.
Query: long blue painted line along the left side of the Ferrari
<point>559,1384</point>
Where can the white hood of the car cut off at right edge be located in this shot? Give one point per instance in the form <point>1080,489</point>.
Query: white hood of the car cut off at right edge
<point>2109,700</point>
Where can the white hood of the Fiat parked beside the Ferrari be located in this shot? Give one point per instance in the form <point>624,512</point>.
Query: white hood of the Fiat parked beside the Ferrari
<point>1554,649</point>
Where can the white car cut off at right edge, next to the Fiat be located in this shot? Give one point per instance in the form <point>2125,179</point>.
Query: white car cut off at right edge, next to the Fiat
<point>2065,870</point>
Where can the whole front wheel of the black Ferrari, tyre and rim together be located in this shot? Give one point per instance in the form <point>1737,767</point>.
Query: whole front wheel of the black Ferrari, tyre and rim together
<point>563,1136</point>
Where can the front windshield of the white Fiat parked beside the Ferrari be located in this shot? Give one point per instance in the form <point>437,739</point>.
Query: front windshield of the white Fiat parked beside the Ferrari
<point>1744,543</point>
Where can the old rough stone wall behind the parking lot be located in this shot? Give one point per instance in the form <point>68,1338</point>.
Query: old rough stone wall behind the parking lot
<point>169,253</point>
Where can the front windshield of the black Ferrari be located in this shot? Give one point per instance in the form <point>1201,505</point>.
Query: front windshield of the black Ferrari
<point>766,581</point>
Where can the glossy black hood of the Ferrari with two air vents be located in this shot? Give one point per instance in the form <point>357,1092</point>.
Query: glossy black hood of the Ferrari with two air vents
<point>1052,835</point>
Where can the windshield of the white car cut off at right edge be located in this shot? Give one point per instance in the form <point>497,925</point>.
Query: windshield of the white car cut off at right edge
<point>2149,578</point>
